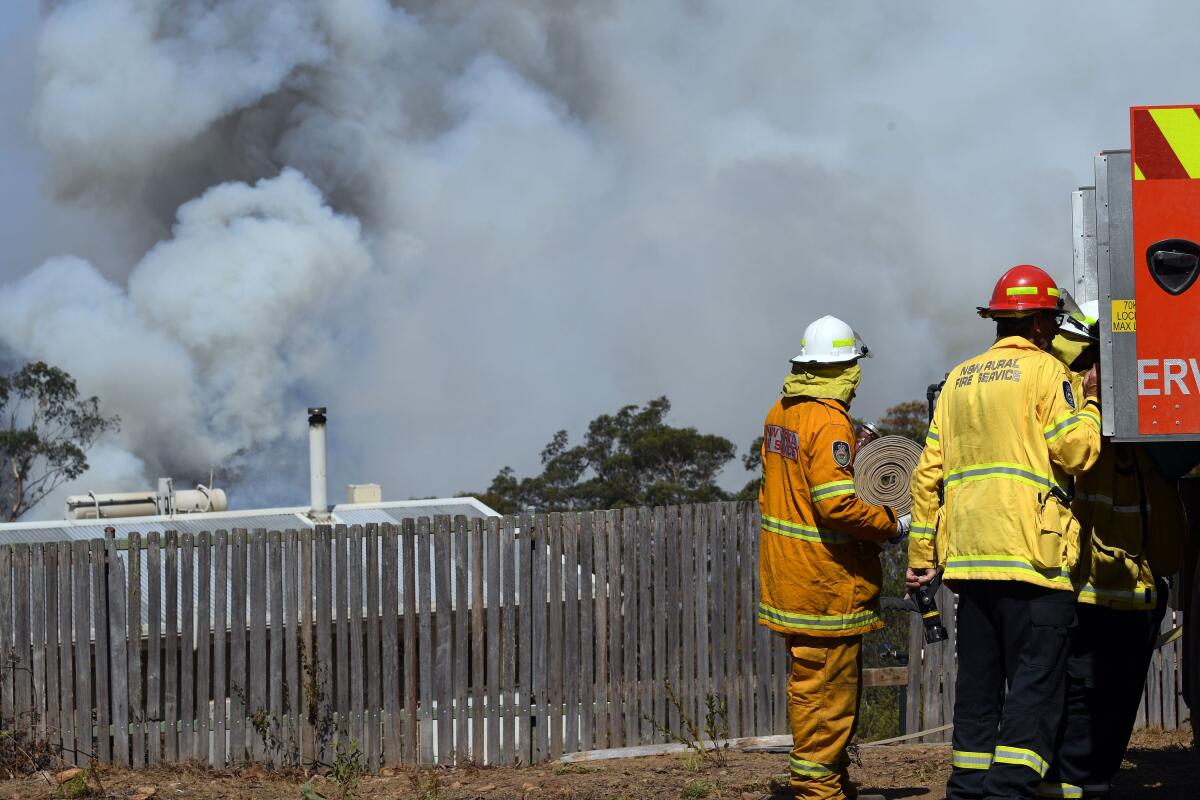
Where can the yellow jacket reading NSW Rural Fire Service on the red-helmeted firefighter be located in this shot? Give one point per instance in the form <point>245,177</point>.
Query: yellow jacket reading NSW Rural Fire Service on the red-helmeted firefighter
<point>991,492</point>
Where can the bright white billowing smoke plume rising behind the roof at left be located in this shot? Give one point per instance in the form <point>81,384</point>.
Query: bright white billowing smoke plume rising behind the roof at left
<point>218,326</point>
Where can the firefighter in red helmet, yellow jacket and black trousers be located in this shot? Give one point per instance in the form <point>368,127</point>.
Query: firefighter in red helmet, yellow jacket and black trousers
<point>992,509</point>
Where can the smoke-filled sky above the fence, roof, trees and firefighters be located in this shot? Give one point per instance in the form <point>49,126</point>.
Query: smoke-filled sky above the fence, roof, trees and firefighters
<point>464,227</point>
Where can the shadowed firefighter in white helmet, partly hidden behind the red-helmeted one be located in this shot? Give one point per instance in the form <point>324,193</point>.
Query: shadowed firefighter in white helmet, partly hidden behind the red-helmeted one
<point>1132,533</point>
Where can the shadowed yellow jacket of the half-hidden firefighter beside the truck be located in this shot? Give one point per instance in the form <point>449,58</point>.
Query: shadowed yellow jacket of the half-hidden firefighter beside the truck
<point>1133,530</point>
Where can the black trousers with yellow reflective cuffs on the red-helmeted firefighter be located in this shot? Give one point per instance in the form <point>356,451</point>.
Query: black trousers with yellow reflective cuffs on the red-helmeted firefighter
<point>1010,635</point>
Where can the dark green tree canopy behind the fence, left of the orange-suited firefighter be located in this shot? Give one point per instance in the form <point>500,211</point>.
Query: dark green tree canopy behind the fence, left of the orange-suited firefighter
<point>628,459</point>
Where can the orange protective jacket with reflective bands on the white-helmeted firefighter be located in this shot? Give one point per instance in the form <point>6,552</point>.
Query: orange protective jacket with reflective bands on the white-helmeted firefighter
<point>819,556</point>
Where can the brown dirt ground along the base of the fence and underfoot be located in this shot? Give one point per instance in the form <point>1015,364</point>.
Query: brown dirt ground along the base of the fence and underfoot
<point>1160,766</point>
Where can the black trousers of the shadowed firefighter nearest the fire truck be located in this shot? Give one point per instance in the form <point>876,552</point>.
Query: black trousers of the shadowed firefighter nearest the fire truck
<point>1111,654</point>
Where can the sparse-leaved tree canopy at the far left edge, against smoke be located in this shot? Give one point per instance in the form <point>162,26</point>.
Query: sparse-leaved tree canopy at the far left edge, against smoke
<point>47,431</point>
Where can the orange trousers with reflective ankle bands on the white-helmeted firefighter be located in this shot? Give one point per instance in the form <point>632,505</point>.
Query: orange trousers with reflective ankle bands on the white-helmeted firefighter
<point>823,709</point>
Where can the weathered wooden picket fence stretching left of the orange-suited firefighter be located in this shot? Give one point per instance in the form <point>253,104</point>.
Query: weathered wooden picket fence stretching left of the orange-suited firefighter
<point>497,641</point>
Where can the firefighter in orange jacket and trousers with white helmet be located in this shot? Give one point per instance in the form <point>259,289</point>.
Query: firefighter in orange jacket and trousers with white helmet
<point>819,555</point>
